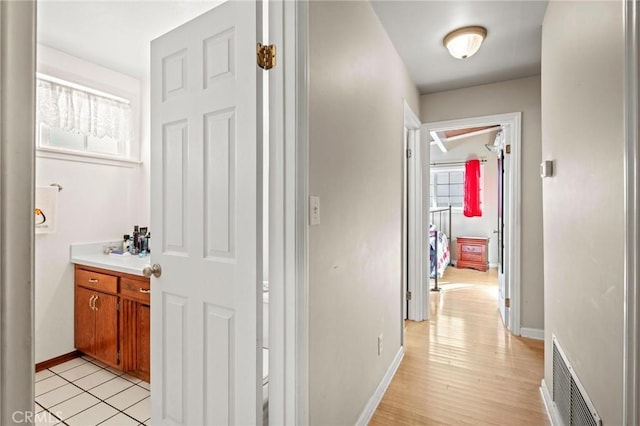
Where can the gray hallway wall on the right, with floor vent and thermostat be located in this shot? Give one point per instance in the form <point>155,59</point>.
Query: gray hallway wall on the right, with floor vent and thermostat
<point>582,131</point>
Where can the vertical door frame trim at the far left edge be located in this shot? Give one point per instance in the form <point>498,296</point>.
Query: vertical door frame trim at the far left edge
<point>17,163</point>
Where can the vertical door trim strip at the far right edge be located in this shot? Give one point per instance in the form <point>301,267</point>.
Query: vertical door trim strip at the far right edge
<point>631,342</point>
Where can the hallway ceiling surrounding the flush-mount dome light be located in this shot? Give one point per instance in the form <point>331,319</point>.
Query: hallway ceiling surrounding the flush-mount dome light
<point>511,49</point>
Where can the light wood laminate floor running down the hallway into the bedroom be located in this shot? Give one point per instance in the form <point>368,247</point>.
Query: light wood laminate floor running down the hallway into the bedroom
<point>463,367</point>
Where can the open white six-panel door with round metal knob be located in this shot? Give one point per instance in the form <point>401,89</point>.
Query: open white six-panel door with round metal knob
<point>206,221</point>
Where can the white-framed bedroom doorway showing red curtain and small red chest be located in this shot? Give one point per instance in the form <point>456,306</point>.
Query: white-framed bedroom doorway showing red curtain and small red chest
<point>482,231</point>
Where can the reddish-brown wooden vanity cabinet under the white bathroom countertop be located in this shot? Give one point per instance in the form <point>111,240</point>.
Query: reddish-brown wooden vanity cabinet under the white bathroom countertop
<point>112,318</point>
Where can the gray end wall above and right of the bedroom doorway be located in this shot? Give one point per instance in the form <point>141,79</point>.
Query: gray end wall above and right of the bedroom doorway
<point>510,96</point>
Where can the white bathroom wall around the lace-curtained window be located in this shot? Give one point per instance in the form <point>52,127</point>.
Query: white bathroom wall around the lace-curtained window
<point>98,203</point>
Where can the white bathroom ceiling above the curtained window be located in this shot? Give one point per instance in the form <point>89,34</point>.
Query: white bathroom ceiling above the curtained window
<point>114,34</point>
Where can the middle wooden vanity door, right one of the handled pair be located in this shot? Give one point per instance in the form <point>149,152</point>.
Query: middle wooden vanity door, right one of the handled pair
<point>106,328</point>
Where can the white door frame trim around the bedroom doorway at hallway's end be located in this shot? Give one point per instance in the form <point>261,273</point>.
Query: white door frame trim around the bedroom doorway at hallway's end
<point>513,120</point>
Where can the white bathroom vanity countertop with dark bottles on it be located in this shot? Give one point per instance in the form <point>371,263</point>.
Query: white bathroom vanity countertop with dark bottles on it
<point>92,255</point>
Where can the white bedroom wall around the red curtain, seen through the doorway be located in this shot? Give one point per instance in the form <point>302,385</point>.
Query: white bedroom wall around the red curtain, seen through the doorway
<point>483,226</point>
